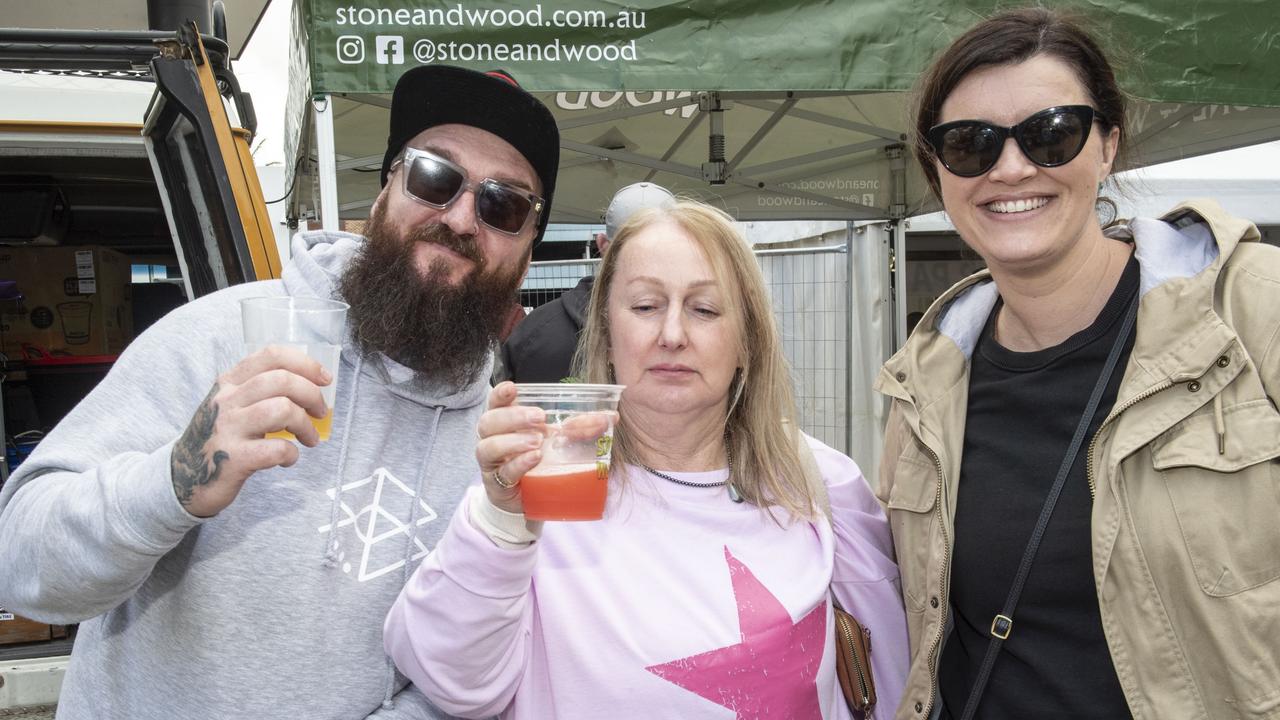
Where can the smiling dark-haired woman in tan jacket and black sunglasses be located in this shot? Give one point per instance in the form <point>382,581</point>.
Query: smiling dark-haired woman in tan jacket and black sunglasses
<point>1081,463</point>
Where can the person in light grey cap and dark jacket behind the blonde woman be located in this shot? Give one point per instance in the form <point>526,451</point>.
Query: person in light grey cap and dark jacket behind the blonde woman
<point>541,349</point>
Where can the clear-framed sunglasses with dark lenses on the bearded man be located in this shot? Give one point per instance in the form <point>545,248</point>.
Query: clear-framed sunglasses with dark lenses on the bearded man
<point>437,183</point>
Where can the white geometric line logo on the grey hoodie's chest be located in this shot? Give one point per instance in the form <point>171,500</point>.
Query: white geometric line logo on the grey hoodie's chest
<point>374,526</point>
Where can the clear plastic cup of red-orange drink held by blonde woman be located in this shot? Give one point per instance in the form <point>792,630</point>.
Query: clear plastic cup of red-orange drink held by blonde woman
<point>572,481</point>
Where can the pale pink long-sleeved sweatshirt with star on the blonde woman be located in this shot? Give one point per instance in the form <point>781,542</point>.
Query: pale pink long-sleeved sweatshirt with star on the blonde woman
<point>678,604</point>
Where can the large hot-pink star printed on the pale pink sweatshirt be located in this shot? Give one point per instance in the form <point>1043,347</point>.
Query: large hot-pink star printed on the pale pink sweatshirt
<point>772,672</point>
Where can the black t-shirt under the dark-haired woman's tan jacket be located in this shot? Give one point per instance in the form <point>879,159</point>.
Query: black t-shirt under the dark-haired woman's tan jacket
<point>1023,411</point>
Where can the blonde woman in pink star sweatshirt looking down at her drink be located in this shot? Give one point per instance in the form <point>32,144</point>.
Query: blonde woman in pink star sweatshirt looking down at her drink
<point>707,586</point>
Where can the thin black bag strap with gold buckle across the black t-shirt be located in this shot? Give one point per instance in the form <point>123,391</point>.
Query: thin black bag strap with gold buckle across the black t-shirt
<point>1004,623</point>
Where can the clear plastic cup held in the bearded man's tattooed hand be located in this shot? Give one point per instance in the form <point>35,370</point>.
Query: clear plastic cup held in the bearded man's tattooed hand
<point>312,325</point>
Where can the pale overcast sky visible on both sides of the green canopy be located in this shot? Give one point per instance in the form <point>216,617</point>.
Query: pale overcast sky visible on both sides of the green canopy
<point>263,71</point>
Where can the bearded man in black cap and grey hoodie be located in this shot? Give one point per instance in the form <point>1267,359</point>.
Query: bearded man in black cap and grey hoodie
<point>218,573</point>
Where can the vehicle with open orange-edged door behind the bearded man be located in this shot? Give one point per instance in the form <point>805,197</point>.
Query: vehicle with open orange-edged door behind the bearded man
<point>120,151</point>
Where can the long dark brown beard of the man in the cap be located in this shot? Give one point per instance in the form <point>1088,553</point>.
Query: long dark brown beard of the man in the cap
<point>442,331</point>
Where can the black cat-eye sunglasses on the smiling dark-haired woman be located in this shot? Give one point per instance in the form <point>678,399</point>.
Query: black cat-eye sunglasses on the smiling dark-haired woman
<point>1050,139</point>
